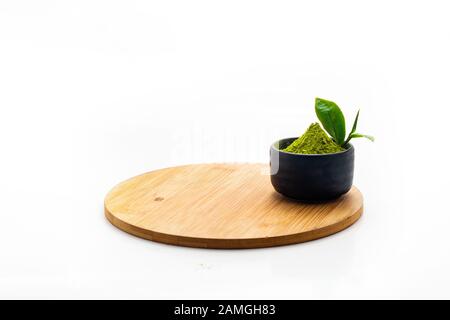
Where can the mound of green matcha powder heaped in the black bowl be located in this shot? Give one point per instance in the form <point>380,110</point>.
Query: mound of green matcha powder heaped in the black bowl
<point>314,141</point>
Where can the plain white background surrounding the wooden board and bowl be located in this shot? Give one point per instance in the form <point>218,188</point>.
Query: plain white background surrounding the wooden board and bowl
<point>93,92</point>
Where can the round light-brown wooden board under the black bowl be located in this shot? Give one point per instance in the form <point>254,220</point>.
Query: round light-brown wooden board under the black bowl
<point>222,206</point>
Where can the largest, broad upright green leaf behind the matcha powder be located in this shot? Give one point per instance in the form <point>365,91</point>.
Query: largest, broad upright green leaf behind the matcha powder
<point>332,119</point>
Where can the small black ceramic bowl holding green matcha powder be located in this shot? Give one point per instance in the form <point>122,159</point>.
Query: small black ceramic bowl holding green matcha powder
<point>311,177</point>
